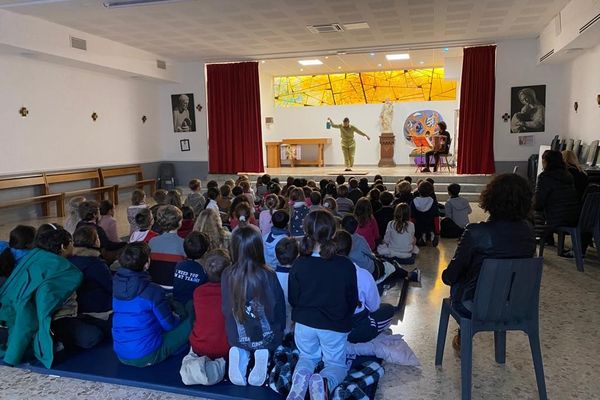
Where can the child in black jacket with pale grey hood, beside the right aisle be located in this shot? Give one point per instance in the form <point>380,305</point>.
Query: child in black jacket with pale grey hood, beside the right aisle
<point>425,215</point>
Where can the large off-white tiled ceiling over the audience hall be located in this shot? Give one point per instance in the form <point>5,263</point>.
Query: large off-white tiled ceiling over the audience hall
<point>222,30</point>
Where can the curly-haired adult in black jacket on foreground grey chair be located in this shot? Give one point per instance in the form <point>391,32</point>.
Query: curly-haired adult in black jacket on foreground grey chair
<point>506,234</point>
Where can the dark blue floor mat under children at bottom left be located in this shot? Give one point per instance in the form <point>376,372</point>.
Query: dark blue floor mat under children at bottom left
<point>101,365</point>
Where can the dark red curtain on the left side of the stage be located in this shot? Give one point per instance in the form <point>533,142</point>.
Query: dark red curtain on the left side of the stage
<point>234,124</point>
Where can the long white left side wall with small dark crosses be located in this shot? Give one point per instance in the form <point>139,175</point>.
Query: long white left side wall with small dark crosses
<point>59,132</point>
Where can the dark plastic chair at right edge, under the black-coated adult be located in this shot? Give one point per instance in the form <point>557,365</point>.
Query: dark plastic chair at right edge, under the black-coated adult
<point>589,222</point>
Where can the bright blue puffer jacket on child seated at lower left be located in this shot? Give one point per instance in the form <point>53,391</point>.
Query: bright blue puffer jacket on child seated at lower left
<point>141,315</point>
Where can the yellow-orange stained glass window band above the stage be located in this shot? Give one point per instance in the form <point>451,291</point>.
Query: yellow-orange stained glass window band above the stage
<point>363,88</point>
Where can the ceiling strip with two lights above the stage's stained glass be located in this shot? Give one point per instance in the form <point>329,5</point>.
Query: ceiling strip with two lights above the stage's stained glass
<point>360,62</point>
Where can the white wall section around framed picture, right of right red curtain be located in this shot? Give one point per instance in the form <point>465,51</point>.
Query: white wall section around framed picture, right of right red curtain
<point>516,65</point>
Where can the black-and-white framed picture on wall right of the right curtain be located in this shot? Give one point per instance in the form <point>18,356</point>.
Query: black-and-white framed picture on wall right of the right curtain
<point>528,109</point>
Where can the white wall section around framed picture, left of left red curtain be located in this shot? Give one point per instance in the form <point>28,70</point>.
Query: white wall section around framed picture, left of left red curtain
<point>192,81</point>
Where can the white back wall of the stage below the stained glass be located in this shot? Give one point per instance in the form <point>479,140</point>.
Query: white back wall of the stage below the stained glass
<point>309,122</point>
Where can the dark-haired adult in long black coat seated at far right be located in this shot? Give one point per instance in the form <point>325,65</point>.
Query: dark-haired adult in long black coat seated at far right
<point>556,202</point>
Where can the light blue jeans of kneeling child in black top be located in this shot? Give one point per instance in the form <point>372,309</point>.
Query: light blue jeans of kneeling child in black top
<point>314,344</point>
